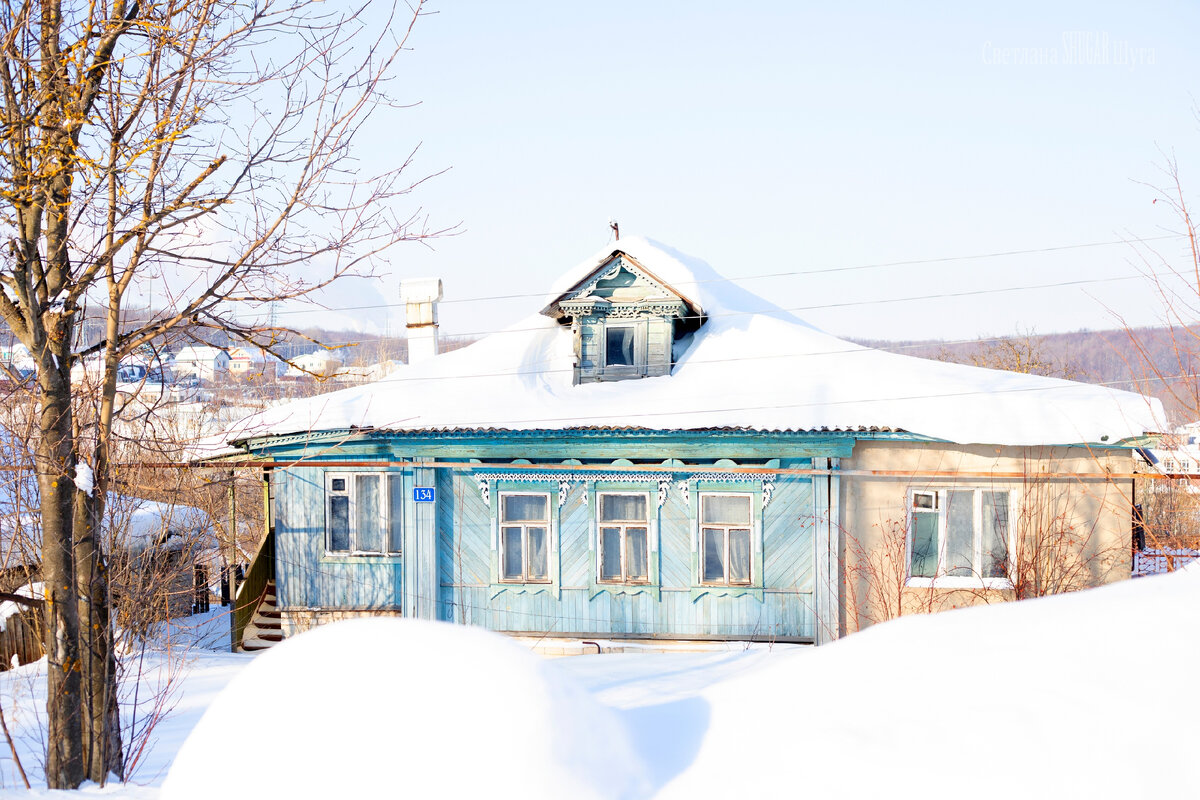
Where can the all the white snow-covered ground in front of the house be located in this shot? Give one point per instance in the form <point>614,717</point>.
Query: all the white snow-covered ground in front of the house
<point>1088,695</point>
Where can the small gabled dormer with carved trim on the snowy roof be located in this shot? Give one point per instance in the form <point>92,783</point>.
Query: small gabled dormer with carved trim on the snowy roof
<point>626,322</point>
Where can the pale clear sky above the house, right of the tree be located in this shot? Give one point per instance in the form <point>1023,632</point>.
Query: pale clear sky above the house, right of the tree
<point>791,137</point>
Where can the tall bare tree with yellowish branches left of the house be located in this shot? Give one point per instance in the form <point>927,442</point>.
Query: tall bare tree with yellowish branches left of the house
<point>202,146</point>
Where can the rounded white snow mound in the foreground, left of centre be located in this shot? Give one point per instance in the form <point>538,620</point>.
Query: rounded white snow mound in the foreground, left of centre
<point>375,708</point>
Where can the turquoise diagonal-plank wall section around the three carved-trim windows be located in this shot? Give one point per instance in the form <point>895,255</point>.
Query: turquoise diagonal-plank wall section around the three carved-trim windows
<point>787,609</point>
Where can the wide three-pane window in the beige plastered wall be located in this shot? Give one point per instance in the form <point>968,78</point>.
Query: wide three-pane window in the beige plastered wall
<point>959,534</point>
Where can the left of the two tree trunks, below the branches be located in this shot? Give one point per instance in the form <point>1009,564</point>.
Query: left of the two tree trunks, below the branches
<point>56,479</point>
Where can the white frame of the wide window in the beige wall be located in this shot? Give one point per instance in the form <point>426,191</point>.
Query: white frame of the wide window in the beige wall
<point>943,581</point>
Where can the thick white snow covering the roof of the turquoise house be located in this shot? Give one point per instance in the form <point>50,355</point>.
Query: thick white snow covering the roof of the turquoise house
<point>752,365</point>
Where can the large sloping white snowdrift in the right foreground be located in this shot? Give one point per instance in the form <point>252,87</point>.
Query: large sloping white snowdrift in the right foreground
<point>1089,695</point>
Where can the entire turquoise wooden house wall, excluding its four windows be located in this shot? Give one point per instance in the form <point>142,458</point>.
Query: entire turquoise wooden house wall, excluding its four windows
<point>448,567</point>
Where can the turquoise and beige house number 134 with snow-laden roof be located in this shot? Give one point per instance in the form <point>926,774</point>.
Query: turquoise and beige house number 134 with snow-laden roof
<point>659,454</point>
